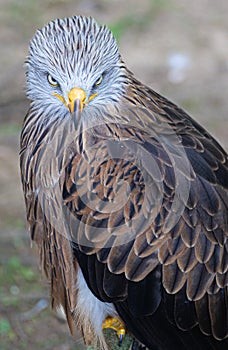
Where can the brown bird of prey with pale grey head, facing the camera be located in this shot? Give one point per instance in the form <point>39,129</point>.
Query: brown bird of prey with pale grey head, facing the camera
<point>126,197</point>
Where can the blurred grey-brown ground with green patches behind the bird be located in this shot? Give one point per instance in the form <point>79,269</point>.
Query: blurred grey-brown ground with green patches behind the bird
<point>179,48</point>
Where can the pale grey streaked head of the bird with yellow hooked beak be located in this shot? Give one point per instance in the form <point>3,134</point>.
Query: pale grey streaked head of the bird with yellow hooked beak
<point>74,63</point>
